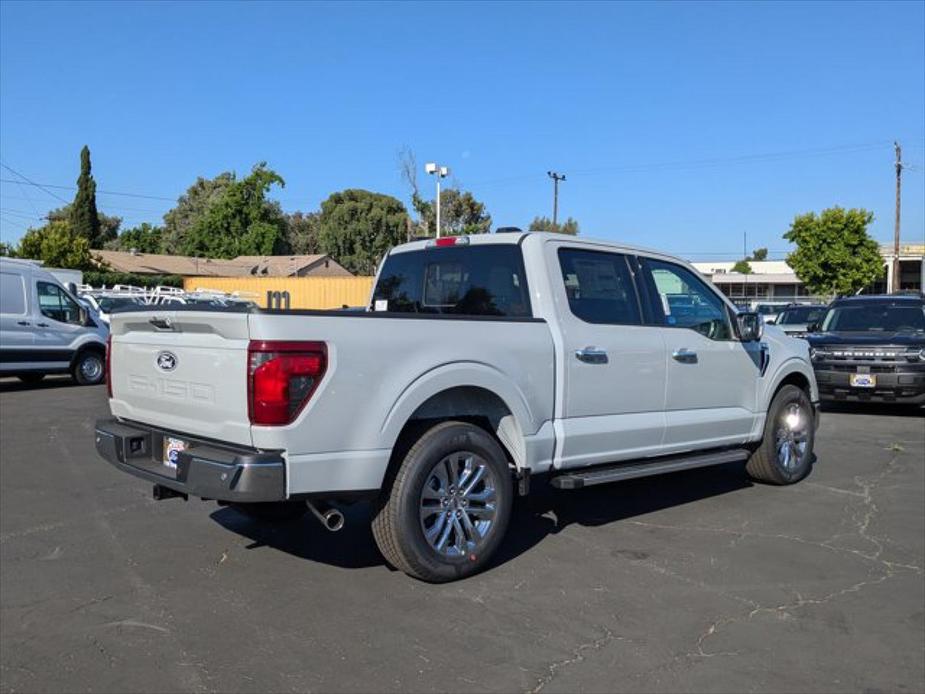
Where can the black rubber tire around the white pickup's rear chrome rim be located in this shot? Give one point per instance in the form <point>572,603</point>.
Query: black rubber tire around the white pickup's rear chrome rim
<point>398,526</point>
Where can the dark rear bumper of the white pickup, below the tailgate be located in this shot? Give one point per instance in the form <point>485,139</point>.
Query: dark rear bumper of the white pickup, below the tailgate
<point>204,469</point>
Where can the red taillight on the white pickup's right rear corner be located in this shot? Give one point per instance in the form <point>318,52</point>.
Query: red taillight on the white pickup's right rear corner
<point>281,377</point>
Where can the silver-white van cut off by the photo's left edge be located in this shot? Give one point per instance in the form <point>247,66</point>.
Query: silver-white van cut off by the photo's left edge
<point>44,330</point>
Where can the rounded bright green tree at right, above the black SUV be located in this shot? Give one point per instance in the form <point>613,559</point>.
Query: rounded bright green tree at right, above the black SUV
<point>834,253</point>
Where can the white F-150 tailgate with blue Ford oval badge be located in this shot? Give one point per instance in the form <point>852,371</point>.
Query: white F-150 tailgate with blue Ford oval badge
<point>185,371</point>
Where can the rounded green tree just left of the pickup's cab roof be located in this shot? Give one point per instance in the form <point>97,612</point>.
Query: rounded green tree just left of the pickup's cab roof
<point>357,227</point>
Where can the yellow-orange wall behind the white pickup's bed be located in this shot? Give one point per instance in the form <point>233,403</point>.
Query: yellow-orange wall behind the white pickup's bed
<point>304,292</point>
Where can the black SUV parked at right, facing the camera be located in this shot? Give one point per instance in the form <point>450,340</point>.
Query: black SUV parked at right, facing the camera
<point>871,348</point>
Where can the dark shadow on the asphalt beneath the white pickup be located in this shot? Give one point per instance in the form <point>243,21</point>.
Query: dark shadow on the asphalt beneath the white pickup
<point>546,511</point>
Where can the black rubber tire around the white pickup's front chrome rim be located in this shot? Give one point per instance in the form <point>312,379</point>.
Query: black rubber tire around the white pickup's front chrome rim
<point>764,464</point>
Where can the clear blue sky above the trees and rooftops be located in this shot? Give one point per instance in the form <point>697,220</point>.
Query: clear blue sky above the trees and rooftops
<point>659,114</point>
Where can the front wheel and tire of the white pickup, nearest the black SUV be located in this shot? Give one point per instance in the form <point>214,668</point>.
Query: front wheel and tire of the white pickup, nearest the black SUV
<point>785,454</point>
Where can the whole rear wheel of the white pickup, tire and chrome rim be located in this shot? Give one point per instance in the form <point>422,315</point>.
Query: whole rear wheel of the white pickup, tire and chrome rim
<point>448,506</point>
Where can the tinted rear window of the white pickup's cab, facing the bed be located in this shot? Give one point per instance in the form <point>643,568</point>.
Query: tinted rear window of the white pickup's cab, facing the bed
<point>471,280</point>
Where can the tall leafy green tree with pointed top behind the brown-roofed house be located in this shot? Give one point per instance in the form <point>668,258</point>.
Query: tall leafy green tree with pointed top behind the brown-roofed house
<point>239,221</point>
